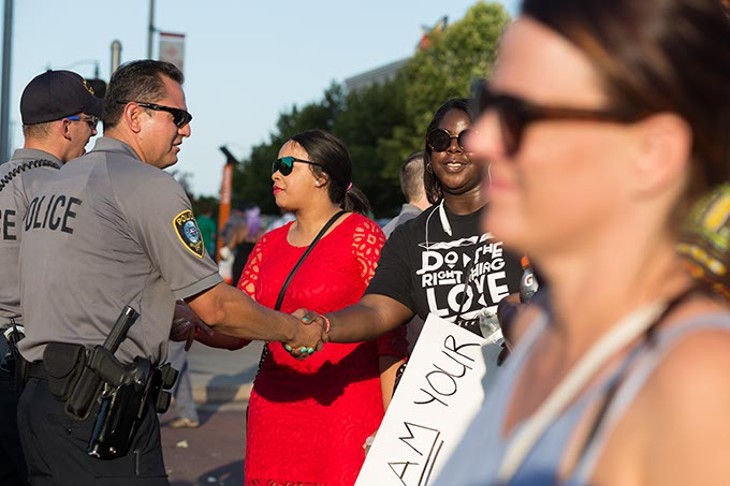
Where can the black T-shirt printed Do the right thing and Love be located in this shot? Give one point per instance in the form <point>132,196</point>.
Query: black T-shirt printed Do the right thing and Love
<point>458,277</point>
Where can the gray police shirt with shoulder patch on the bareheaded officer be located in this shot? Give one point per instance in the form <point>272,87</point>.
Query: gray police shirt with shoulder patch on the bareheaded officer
<point>106,231</point>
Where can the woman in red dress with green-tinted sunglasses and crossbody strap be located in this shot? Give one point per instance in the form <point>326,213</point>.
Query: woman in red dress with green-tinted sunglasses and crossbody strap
<point>309,418</point>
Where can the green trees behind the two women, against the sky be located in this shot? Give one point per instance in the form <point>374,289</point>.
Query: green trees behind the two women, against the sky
<point>383,123</point>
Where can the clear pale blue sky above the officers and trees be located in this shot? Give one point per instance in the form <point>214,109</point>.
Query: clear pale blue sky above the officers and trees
<point>245,61</point>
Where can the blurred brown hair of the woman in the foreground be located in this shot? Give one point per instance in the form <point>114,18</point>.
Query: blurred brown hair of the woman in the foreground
<point>658,56</point>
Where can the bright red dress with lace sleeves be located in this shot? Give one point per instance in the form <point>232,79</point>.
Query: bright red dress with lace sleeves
<point>307,420</point>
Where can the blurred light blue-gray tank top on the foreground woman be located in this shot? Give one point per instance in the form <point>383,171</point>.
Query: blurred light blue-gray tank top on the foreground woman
<point>479,456</point>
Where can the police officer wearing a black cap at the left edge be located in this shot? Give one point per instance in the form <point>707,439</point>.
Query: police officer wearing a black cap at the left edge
<point>59,113</point>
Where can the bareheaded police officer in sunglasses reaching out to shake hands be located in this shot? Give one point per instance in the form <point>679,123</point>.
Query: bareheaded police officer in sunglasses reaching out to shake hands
<point>106,231</point>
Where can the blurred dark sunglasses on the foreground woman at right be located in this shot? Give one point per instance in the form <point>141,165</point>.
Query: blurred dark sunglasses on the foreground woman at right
<point>516,113</point>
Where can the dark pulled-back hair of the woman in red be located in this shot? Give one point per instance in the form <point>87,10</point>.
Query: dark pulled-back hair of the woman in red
<point>331,152</point>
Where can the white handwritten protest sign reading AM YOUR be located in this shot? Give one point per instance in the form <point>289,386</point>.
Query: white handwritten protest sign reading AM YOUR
<point>438,395</point>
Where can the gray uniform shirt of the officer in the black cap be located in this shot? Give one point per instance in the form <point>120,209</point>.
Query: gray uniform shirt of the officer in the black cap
<point>19,178</point>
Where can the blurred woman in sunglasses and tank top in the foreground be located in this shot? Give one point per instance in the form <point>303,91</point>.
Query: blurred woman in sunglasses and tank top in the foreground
<point>603,123</point>
